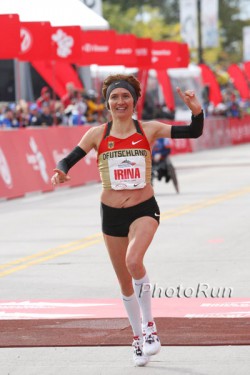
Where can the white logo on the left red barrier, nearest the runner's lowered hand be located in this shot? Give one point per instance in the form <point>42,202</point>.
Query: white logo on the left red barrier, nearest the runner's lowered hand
<point>37,160</point>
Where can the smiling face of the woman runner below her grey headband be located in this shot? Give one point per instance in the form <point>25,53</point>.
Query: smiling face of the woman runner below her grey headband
<point>121,102</point>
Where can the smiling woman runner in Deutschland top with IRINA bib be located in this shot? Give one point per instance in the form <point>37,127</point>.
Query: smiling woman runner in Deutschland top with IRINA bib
<point>130,213</point>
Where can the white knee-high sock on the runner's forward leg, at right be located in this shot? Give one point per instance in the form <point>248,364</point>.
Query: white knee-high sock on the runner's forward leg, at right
<point>143,294</point>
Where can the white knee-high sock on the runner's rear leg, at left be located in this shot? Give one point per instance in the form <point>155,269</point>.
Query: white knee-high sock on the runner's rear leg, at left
<point>134,315</point>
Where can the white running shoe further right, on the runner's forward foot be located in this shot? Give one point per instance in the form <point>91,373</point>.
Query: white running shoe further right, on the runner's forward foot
<point>151,344</point>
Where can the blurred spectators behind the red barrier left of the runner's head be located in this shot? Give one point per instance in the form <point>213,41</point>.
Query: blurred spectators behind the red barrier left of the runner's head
<point>76,107</point>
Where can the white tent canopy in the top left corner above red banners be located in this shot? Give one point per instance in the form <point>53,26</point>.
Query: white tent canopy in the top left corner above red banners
<point>57,12</point>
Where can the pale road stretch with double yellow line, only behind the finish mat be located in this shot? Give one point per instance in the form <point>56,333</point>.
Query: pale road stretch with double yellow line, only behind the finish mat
<point>51,243</point>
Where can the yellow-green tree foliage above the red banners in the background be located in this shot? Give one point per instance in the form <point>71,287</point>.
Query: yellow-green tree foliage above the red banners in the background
<point>159,20</point>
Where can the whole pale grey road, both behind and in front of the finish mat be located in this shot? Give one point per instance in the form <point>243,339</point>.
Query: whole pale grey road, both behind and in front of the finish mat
<point>51,248</point>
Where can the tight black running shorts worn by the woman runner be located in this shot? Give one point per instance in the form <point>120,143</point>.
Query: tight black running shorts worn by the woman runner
<point>116,221</point>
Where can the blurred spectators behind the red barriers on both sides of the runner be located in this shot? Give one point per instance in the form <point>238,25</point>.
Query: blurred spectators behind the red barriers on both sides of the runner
<point>78,107</point>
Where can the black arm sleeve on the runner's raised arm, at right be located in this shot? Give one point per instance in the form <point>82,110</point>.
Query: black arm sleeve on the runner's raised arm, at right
<point>194,130</point>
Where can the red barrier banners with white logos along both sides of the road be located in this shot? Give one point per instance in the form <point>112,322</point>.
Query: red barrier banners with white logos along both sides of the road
<point>27,158</point>
